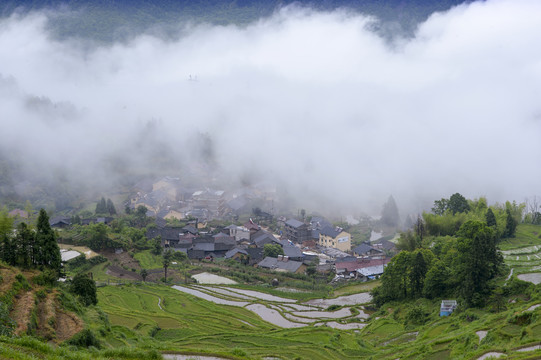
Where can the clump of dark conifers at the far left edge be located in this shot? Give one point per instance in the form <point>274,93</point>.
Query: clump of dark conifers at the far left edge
<point>29,247</point>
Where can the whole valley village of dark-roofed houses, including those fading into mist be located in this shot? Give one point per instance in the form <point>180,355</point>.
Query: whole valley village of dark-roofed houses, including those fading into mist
<point>208,224</point>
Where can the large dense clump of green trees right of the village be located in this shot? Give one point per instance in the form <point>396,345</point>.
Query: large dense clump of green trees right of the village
<point>451,252</point>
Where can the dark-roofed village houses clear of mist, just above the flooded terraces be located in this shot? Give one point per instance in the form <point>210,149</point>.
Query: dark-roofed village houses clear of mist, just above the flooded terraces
<point>303,243</point>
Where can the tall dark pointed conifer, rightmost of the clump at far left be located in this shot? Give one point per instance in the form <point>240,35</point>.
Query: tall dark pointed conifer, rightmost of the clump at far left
<point>48,253</point>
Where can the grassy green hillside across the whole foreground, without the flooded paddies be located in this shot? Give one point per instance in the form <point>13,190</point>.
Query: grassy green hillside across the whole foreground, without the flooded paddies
<point>143,320</point>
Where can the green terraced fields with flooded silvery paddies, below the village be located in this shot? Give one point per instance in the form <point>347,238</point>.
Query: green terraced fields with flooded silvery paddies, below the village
<point>233,322</point>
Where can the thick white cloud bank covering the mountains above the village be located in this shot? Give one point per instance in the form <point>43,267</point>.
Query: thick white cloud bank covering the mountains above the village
<point>315,100</point>
